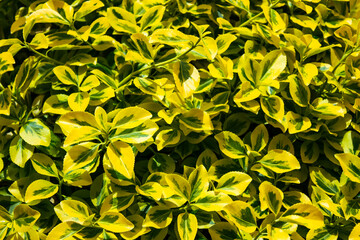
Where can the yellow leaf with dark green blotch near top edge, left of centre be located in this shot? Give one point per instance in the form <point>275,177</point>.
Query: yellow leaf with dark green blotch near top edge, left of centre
<point>122,20</point>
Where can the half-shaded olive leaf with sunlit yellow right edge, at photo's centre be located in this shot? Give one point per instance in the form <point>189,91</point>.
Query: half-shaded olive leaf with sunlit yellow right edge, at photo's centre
<point>197,119</point>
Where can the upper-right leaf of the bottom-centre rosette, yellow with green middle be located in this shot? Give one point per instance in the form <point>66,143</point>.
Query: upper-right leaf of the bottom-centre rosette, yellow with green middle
<point>233,183</point>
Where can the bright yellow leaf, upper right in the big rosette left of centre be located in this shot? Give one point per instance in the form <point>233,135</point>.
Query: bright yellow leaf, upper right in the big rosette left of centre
<point>130,117</point>
